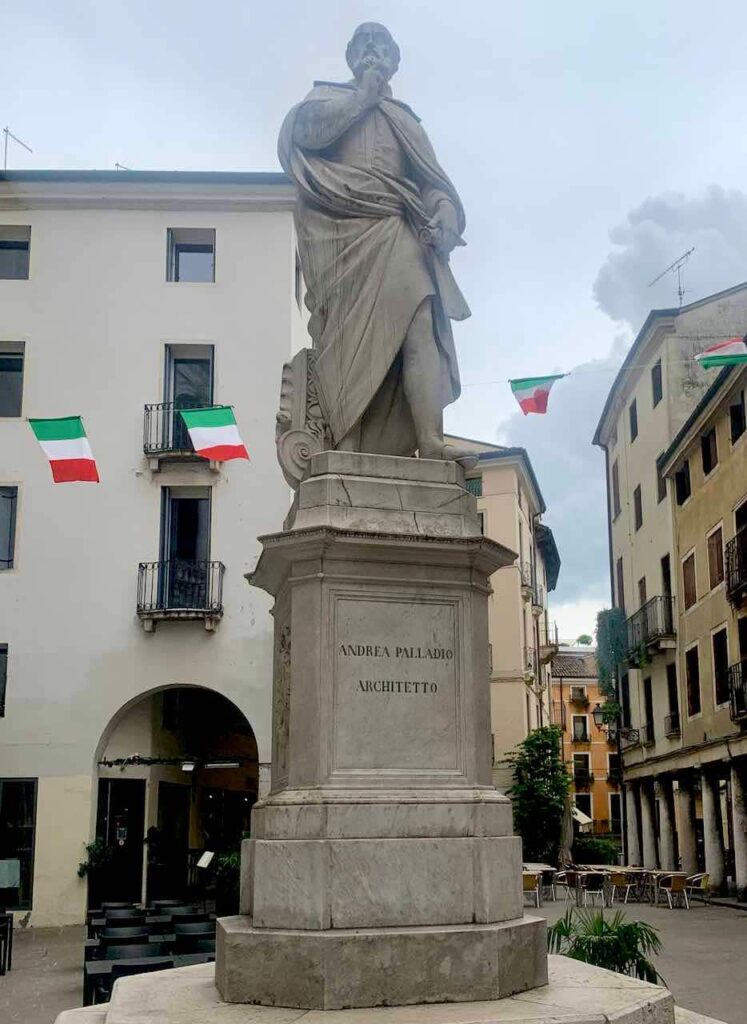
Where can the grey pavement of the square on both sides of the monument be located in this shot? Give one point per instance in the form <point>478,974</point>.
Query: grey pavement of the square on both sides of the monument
<point>703,963</point>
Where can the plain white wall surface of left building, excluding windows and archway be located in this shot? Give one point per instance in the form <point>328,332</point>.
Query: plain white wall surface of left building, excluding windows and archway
<point>96,316</point>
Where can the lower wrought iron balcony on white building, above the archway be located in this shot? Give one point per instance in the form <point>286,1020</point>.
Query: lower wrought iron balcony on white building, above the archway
<point>181,589</point>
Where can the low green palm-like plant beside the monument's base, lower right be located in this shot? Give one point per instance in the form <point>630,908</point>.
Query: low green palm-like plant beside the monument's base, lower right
<point>615,944</point>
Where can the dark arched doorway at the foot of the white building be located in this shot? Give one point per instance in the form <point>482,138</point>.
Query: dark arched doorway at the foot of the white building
<point>178,779</point>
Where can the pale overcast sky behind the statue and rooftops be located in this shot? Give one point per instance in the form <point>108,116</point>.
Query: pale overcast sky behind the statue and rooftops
<point>592,145</point>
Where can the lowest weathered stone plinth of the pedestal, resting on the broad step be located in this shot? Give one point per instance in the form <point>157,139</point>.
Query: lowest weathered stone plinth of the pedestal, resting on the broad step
<point>380,967</point>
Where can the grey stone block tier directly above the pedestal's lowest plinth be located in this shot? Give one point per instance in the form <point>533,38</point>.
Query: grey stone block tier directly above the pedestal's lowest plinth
<point>378,883</point>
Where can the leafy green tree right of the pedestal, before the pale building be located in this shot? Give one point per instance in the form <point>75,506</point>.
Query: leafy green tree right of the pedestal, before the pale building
<point>539,793</point>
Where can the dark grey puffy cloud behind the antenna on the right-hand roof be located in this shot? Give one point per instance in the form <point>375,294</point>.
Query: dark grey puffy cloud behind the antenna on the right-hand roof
<point>656,234</point>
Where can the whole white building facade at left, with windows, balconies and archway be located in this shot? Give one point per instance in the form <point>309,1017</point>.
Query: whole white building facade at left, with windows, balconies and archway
<point>129,634</point>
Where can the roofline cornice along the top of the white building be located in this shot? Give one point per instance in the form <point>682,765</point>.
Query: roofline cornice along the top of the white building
<point>207,191</point>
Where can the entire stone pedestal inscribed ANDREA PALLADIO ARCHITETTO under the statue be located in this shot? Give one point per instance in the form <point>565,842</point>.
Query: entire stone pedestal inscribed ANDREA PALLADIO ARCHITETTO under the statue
<point>383,869</point>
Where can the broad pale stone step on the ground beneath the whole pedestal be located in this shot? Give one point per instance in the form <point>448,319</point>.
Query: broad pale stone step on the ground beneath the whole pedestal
<point>576,994</point>
